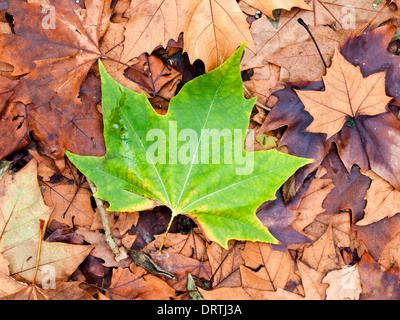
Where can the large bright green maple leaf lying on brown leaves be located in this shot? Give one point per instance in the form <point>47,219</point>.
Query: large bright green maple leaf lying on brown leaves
<point>165,160</point>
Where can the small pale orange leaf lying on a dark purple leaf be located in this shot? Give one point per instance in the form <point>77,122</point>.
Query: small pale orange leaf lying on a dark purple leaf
<point>347,94</point>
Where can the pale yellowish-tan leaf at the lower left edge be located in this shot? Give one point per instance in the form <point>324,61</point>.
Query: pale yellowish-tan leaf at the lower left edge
<point>21,207</point>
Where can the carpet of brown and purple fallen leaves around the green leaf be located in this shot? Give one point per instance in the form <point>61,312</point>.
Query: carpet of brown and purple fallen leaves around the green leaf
<point>334,243</point>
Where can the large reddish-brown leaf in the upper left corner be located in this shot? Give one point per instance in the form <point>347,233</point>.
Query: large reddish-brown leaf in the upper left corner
<point>52,72</point>
